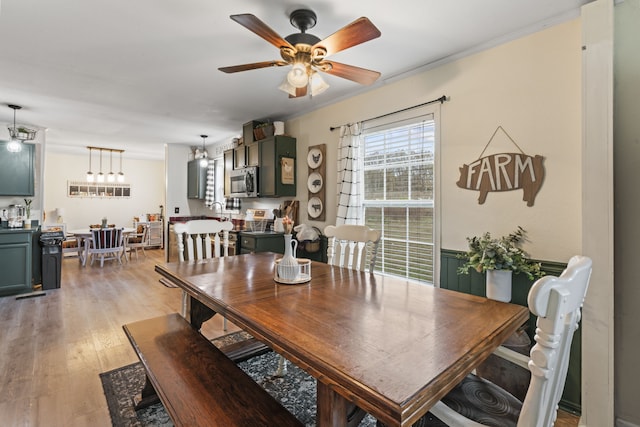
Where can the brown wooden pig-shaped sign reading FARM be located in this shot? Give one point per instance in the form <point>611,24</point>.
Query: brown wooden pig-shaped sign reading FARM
<point>504,172</point>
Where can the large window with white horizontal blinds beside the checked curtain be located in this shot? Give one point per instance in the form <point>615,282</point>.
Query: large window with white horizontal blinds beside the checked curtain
<point>399,195</point>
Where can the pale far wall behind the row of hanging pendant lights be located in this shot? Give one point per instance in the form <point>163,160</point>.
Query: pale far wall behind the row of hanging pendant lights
<point>146,178</point>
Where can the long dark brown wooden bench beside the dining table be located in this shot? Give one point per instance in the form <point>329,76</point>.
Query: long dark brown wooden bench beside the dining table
<point>196,382</point>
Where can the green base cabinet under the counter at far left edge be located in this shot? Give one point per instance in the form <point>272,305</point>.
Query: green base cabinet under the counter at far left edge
<point>16,249</point>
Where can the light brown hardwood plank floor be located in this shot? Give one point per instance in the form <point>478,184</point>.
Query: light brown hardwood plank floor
<point>53,347</point>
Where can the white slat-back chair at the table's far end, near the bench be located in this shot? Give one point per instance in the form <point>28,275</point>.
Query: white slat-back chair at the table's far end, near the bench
<point>200,239</point>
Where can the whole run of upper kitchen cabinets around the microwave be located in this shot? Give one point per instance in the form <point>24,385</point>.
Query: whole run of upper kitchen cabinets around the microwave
<point>275,158</point>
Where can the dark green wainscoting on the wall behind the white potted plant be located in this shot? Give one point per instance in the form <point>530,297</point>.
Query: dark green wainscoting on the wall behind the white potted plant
<point>474,284</point>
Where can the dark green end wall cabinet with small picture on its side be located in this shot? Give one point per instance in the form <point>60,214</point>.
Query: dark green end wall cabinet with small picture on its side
<point>272,151</point>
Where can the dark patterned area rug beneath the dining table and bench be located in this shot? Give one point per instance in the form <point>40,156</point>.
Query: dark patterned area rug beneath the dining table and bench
<point>296,391</point>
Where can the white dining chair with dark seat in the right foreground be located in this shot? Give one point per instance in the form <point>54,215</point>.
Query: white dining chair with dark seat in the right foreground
<point>476,402</point>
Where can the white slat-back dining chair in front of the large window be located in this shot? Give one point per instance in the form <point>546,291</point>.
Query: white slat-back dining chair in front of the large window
<point>352,246</point>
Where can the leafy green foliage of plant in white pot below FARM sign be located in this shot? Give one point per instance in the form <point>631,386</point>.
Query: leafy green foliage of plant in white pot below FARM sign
<point>504,253</point>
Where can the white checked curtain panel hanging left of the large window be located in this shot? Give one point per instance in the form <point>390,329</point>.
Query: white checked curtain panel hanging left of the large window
<point>349,189</point>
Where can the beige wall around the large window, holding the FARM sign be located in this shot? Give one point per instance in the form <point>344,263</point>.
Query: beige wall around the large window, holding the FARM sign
<point>531,87</point>
